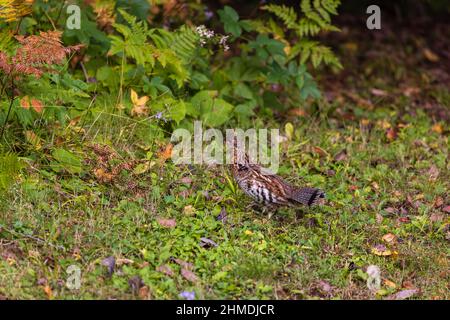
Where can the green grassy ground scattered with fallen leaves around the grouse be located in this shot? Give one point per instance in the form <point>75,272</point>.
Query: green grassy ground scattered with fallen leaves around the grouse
<point>383,164</point>
